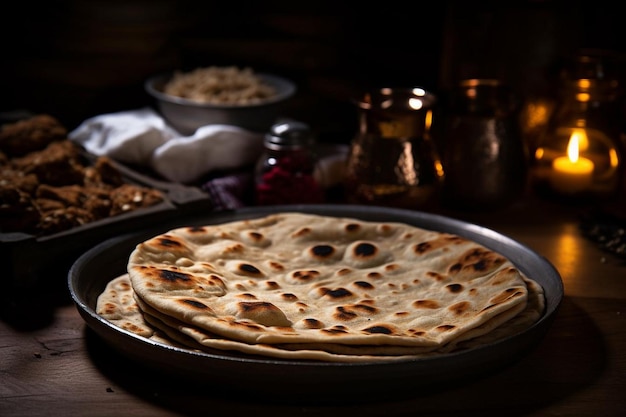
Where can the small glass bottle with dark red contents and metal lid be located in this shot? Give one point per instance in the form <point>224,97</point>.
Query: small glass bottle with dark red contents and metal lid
<point>285,173</point>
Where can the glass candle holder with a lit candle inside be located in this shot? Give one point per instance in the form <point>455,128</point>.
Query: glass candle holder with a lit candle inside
<point>579,155</point>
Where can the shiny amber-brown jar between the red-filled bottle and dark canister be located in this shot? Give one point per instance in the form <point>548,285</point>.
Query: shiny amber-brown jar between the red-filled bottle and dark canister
<point>393,160</point>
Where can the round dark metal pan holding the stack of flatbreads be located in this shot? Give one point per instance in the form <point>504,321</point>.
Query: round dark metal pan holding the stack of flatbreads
<point>305,380</point>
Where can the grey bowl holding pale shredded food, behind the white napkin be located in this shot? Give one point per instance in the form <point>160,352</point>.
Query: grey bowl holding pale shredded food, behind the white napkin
<point>186,115</point>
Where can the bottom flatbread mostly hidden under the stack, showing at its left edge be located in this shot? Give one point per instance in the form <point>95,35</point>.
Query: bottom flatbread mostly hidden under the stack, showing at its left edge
<point>169,331</point>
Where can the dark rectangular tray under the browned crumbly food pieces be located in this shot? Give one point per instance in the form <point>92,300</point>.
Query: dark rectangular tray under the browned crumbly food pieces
<point>41,263</point>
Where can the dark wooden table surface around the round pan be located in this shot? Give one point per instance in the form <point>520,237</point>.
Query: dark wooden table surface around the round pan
<point>52,364</point>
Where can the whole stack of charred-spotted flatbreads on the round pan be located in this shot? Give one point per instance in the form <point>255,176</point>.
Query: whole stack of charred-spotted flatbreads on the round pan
<point>312,287</point>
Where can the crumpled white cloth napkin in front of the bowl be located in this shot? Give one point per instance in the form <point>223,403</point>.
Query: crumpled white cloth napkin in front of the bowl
<point>142,137</point>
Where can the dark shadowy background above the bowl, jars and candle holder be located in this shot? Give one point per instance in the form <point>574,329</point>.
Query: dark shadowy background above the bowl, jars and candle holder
<point>77,59</point>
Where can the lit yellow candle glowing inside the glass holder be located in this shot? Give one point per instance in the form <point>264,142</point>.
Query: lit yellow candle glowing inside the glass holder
<point>572,173</point>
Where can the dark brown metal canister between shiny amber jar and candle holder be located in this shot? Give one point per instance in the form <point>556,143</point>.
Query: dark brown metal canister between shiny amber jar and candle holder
<point>484,156</point>
